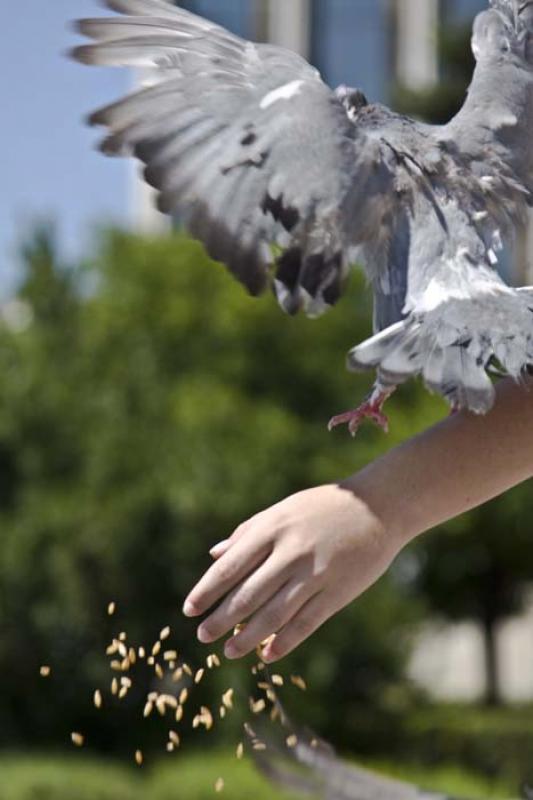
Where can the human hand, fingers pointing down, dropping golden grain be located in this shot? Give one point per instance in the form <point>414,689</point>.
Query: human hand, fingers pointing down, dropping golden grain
<point>289,569</point>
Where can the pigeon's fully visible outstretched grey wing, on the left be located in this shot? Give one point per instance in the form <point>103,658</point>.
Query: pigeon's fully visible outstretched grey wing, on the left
<point>247,146</point>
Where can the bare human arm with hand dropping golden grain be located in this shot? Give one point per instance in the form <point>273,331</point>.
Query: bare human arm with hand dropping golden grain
<point>290,568</point>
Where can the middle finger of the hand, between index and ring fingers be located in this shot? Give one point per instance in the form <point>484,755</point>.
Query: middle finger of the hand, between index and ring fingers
<point>252,593</point>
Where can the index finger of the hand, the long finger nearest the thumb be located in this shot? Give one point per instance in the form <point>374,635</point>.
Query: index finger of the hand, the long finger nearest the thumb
<point>225,574</point>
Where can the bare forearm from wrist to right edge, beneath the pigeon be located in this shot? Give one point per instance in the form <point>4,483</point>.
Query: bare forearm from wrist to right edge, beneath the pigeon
<point>453,467</point>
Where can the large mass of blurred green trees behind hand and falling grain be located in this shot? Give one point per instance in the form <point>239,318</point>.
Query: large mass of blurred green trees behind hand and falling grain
<point>148,406</point>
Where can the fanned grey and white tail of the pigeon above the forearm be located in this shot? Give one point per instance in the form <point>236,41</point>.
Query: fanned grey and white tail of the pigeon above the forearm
<point>453,346</point>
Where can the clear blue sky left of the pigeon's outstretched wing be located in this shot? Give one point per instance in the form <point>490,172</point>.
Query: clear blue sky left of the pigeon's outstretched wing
<point>49,166</point>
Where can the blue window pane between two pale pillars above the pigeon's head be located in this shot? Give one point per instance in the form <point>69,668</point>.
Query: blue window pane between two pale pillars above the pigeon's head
<point>351,44</point>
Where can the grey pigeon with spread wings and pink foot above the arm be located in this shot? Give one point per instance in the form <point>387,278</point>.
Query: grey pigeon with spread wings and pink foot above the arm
<point>290,184</point>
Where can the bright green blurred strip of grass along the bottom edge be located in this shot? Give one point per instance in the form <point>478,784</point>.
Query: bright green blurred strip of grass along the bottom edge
<point>193,778</point>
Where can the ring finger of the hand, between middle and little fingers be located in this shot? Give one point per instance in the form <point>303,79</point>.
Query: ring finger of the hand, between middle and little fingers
<point>273,616</point>
